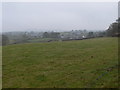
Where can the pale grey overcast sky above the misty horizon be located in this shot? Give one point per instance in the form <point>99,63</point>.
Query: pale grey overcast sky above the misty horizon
<point>61,16</point>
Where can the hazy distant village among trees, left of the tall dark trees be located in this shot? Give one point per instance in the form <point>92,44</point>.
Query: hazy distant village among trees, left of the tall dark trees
<point>31,37</point>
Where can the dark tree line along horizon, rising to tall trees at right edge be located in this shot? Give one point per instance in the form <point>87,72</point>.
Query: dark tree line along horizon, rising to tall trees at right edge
<point>24,37</point>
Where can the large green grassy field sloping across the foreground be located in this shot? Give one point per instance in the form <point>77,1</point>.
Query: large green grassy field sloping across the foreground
<point>68,64</point>
